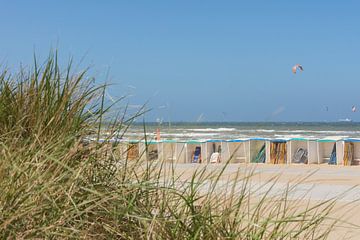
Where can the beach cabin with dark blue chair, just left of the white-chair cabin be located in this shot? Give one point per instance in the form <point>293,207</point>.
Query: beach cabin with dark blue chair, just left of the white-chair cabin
<point>195,151</point>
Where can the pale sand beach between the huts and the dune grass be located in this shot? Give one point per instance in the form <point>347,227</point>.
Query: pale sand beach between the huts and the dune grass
<point>310,184</point>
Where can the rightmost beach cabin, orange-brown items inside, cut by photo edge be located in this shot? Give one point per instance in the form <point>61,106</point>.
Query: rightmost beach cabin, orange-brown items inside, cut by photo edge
<point>351,152</point>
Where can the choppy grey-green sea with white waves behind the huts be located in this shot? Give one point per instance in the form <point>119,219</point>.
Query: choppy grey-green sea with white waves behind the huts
<point>240,130</point>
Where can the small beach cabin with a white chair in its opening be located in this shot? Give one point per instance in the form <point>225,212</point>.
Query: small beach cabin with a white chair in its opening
<point>215,151</point>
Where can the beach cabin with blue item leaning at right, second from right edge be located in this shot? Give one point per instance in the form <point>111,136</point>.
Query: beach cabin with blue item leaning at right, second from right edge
<point>327,151</point>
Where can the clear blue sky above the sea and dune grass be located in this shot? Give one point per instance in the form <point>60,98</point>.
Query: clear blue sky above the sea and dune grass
<point>202,60</point>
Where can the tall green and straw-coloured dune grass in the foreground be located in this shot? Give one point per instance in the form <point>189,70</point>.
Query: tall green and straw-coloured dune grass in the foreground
<point>57,185</point>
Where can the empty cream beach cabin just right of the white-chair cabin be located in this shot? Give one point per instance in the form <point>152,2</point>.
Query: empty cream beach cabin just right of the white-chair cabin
<point>236,150</point>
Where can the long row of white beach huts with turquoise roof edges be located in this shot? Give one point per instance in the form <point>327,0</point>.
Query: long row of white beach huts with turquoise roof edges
<point>333,151</point>
